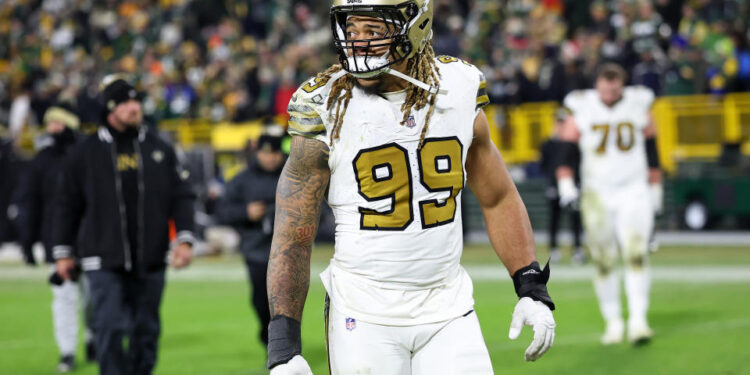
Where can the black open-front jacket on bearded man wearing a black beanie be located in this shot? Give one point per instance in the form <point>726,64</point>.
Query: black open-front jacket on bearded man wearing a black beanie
<point>91,200</point>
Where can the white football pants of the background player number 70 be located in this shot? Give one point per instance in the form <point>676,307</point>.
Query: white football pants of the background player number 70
<point>620,219</point>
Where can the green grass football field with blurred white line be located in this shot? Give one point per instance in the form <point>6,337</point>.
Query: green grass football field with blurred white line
<point>700,314</point>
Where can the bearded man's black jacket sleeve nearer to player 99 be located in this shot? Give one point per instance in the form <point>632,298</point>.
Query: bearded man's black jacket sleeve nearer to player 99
<point>183,202</point>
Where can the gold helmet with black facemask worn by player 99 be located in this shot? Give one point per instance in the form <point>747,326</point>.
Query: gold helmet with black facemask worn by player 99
<point>363,57</point>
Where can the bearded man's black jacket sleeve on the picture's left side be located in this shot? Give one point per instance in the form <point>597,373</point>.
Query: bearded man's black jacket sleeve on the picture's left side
<point>70,208</point>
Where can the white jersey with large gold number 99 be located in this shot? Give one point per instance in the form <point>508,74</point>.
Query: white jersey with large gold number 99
<point>397,208</point>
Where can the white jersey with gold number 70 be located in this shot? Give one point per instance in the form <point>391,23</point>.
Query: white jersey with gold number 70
<point>612,143</point>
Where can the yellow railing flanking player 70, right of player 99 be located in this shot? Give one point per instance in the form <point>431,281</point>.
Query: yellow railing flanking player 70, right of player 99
<point>689,127</point>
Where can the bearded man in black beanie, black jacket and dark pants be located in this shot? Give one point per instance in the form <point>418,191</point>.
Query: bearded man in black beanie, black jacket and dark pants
<point>120,188</point>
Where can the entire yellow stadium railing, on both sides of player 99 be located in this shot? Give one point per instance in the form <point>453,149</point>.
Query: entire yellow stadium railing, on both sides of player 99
<point>689,127</point>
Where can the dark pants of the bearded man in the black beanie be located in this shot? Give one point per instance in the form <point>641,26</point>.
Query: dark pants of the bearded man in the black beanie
<point>126,304</point>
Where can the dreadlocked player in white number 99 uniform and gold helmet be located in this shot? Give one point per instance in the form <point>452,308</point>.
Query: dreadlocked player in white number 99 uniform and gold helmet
<point>389,138</point>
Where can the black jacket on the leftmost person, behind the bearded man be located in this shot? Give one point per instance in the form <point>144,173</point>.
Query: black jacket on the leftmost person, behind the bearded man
<point>37,195</point>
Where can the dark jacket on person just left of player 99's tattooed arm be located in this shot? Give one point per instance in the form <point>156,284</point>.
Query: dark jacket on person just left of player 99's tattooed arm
<point>252,184</point>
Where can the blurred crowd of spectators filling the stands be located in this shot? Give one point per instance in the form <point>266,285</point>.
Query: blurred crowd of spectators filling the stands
<point>237,60</point>
